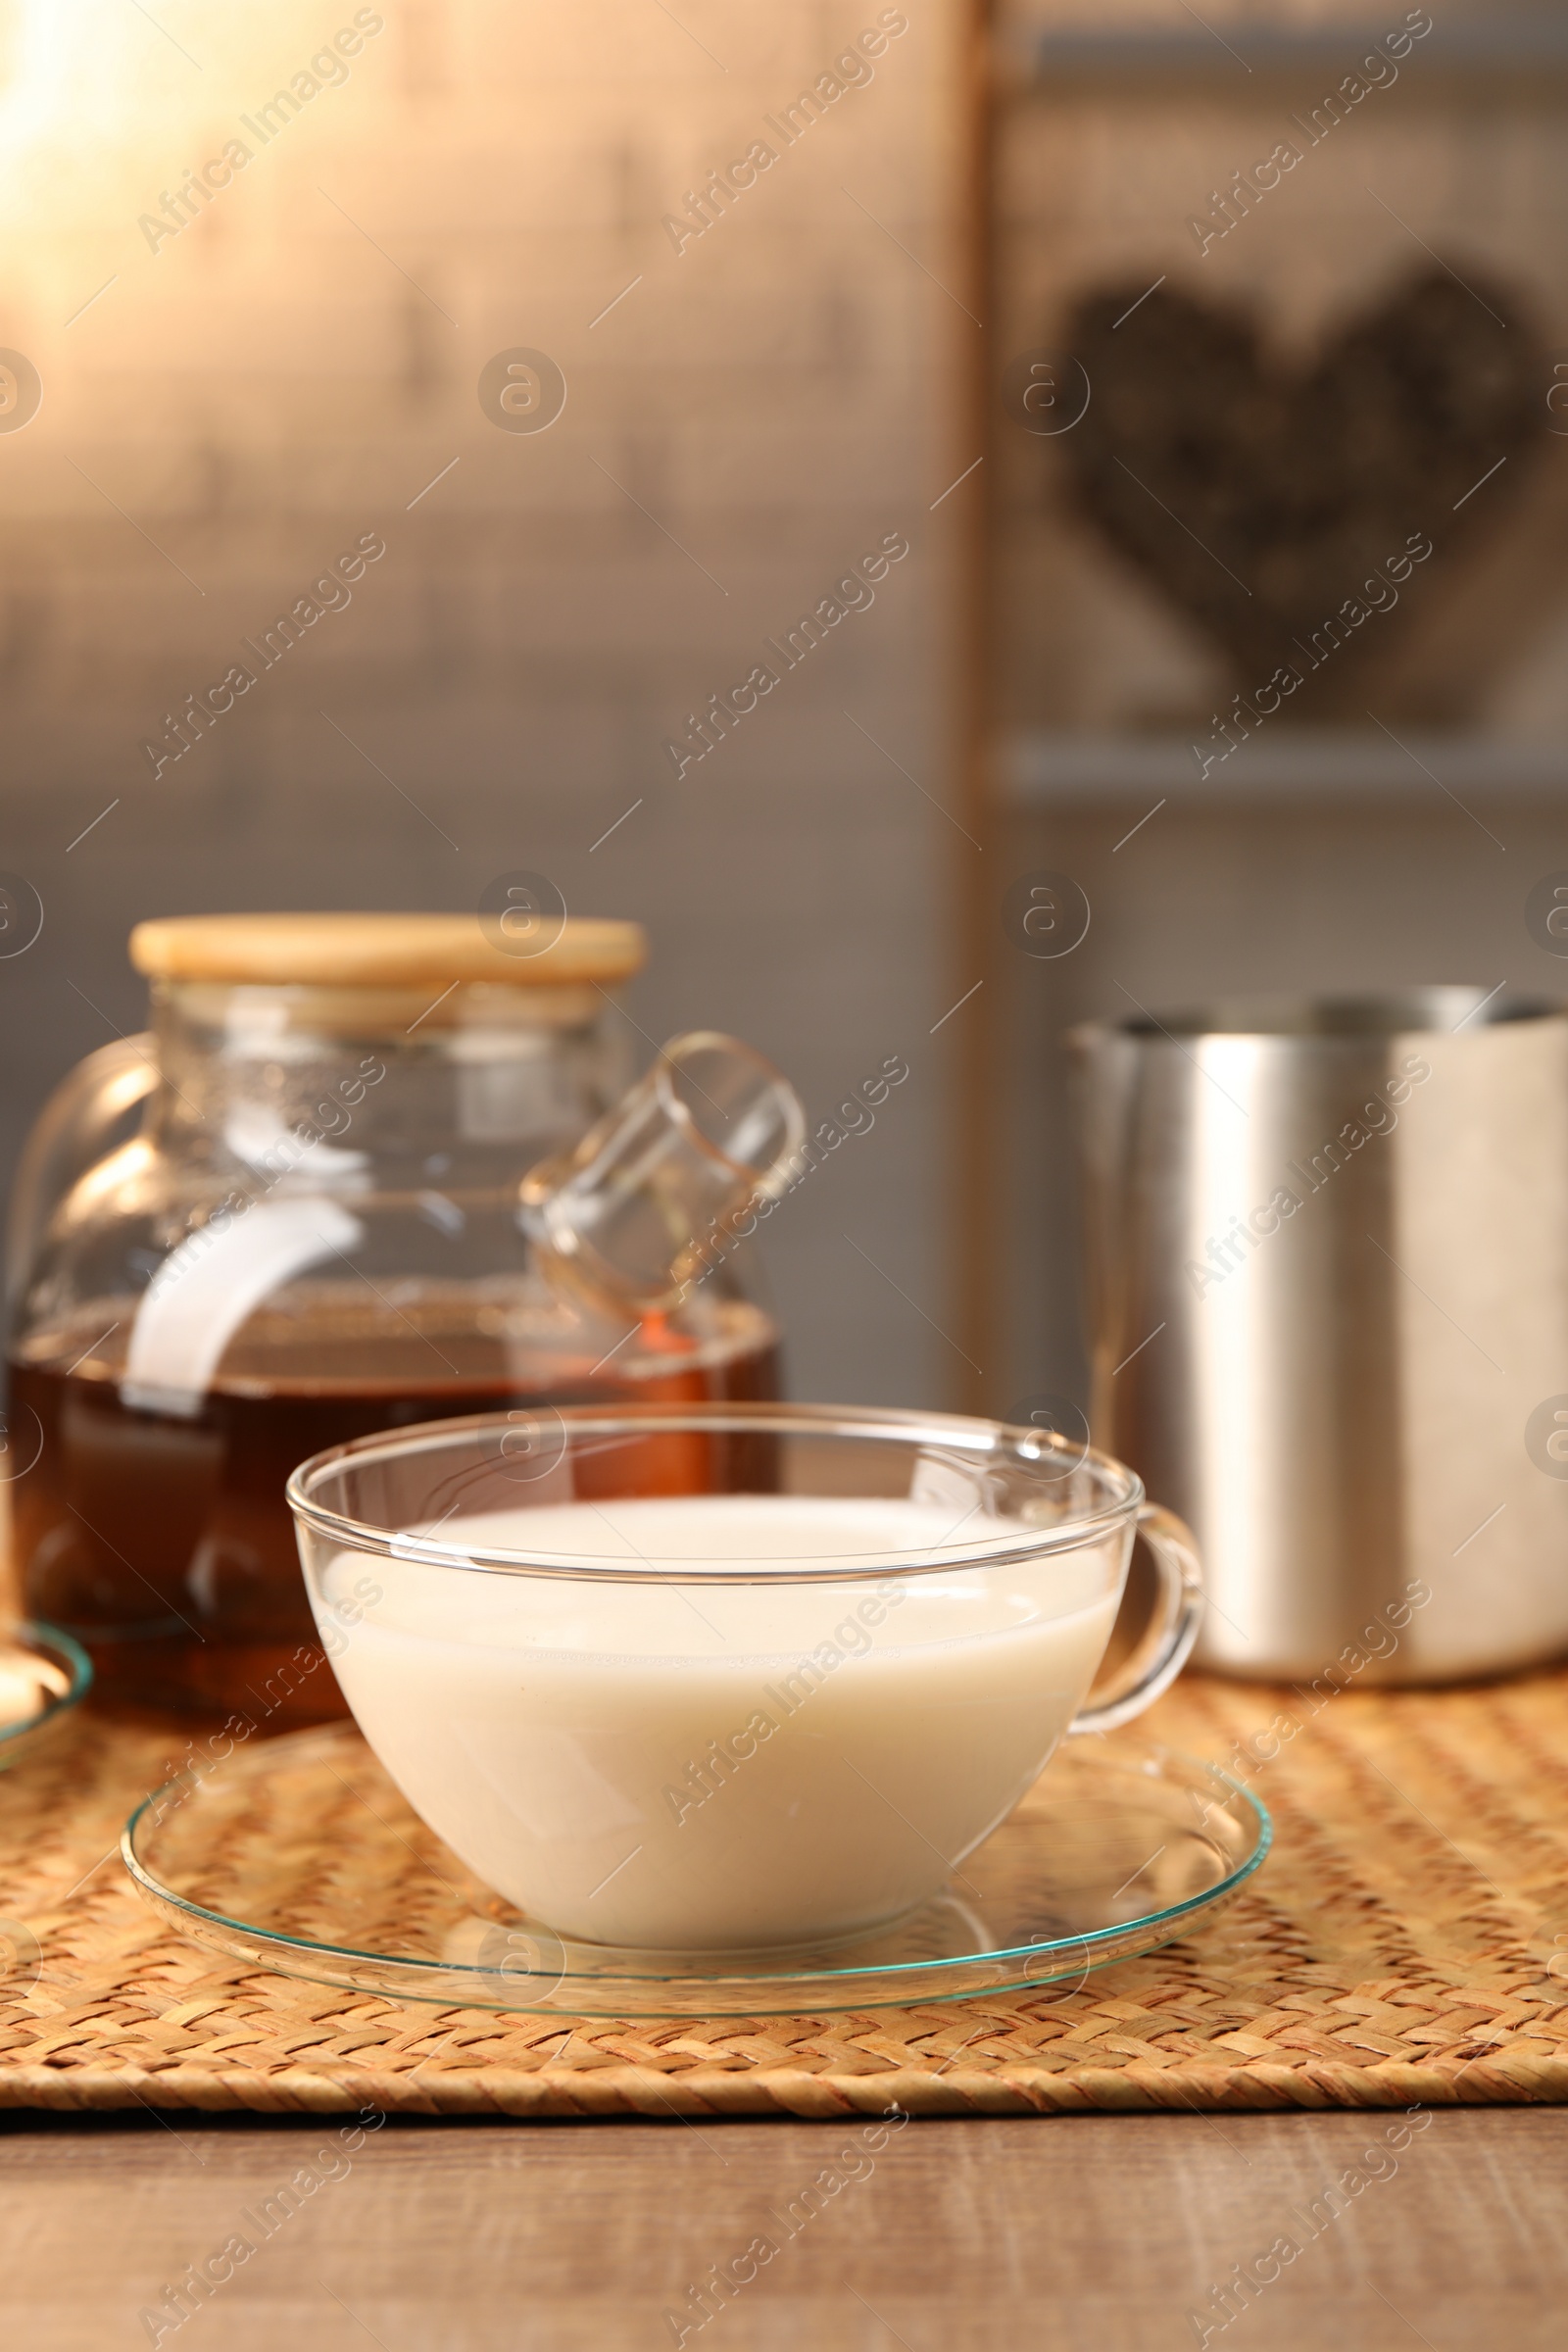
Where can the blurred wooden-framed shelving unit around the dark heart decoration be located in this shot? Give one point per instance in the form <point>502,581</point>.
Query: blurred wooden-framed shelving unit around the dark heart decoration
<point>1092,131</point>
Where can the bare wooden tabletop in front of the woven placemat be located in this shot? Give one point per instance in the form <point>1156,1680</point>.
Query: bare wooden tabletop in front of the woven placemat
<point>1099,2233</point>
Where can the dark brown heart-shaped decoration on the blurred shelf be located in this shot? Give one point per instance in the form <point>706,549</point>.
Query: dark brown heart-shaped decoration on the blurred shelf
<point>1271,502</point>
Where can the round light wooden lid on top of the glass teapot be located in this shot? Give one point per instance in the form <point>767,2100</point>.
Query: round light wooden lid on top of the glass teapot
<point>380,951</point>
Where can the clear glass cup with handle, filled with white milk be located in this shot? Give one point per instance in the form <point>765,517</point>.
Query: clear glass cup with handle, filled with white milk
<point>728,1678</point>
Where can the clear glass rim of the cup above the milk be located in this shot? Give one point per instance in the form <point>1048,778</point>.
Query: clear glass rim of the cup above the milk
<point>981,1443</point>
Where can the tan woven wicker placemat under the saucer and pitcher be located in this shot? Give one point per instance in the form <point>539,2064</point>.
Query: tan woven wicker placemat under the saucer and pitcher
<point>1405,1944</point>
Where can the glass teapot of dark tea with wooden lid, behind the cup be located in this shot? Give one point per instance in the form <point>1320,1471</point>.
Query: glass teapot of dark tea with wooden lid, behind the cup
<point>293,1215</point>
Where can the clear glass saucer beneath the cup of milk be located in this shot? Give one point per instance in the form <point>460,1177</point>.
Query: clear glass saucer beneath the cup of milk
<point>302,1857</point>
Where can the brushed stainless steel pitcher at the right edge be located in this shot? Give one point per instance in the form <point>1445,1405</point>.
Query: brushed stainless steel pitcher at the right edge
<point>1329,1318</point>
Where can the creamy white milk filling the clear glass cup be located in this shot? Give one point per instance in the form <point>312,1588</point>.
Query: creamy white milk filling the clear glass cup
<point>718,1768</point>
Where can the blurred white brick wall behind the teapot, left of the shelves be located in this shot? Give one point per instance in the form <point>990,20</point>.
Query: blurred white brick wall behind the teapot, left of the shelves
<point>269,385</point>
